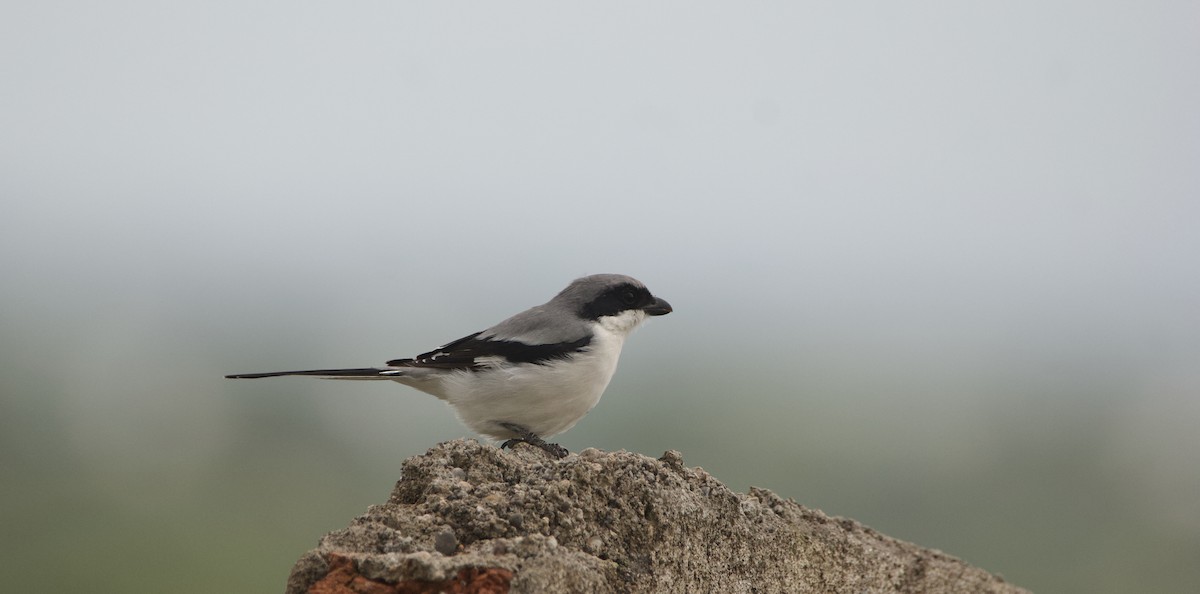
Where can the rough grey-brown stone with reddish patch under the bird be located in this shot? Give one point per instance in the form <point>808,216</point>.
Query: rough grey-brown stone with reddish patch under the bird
<point>467,518</point>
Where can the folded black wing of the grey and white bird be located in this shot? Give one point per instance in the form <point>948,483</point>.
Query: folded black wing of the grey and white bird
<point>466,352</point>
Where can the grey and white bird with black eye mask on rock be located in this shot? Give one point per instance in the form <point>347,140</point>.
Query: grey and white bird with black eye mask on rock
<point>532,376</point>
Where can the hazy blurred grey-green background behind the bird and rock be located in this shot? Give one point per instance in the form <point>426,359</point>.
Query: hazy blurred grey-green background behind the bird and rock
<point>934,266</point>
